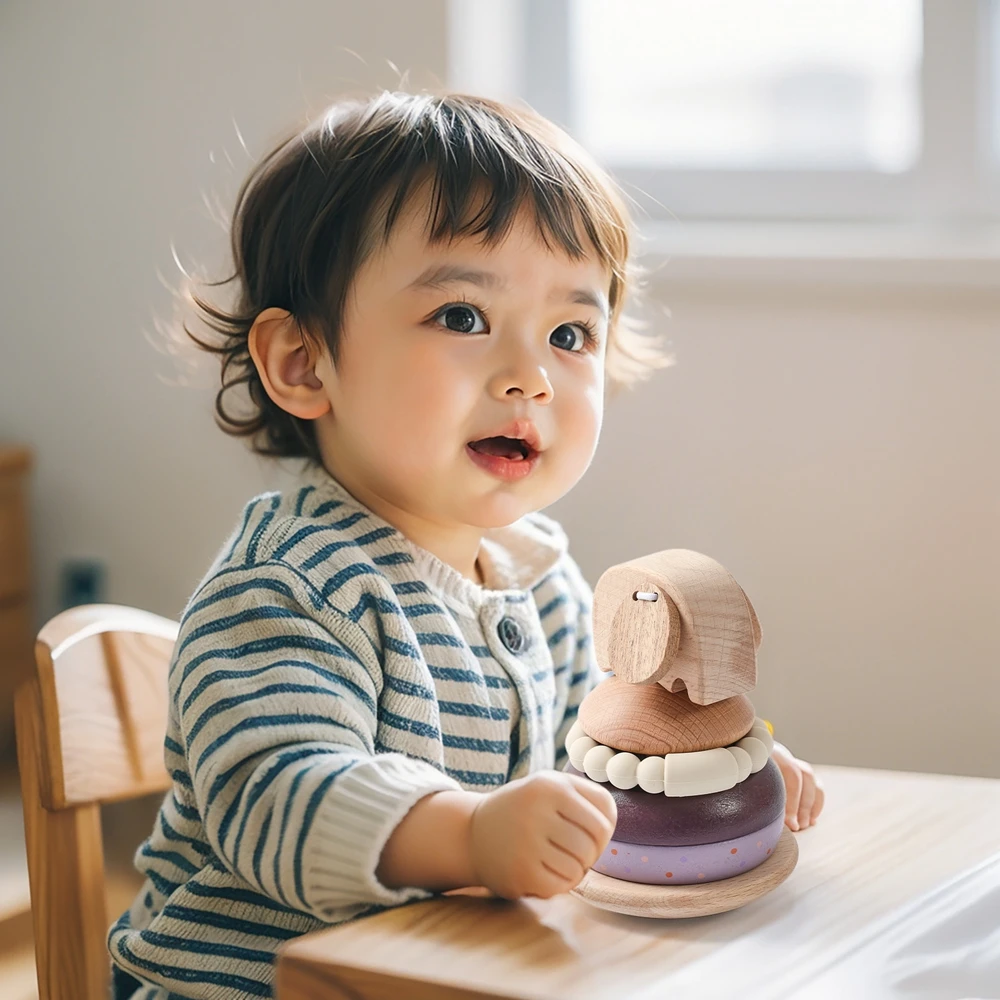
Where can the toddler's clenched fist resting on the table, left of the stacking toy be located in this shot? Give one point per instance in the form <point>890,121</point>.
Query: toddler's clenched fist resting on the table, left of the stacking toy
<point>539,835</point>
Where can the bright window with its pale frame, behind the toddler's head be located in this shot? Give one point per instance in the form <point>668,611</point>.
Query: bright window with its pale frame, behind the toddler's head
<point>826,110</point>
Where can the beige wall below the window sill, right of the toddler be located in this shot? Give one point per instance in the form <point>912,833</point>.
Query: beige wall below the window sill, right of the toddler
<point>837,450</point>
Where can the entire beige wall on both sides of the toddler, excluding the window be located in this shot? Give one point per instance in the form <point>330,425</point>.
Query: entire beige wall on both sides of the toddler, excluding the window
<point>837,450</point>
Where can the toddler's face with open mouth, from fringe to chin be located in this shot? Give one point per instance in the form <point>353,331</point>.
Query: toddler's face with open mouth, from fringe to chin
<point>445,344</point>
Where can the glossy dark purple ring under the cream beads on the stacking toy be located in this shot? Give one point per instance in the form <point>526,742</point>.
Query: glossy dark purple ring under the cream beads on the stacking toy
<point>677,821</point>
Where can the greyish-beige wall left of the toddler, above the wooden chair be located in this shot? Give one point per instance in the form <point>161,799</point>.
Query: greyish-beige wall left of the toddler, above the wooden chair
<point>112,116</point>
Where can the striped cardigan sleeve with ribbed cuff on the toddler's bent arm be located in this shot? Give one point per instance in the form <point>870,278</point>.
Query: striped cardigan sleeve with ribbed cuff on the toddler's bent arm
<point>274,705</point>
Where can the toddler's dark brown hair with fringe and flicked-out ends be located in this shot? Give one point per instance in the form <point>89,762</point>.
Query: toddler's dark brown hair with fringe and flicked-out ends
<point>327,196</point>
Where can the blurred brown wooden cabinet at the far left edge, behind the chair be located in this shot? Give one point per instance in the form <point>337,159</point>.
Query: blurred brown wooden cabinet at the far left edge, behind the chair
<point>16,623</point>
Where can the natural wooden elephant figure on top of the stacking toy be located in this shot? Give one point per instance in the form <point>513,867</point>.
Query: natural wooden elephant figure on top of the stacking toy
<point>677,618</point>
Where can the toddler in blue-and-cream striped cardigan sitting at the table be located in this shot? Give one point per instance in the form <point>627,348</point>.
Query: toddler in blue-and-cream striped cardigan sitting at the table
<point>372,683</point>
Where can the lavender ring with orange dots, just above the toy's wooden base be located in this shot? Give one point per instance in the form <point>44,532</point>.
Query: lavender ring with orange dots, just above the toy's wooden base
<point>687,865</point>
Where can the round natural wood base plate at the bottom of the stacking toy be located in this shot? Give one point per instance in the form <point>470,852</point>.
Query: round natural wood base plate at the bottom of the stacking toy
<point>670,901</point>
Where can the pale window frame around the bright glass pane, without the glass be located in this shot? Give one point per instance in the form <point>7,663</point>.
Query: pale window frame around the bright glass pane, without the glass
<point>955,181</point>
